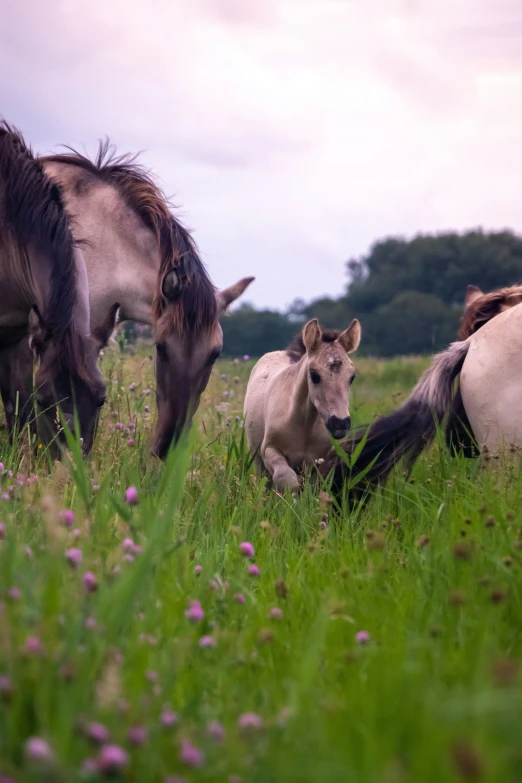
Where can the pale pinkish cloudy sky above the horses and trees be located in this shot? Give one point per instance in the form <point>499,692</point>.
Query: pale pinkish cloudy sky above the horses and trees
<point>292,133</point>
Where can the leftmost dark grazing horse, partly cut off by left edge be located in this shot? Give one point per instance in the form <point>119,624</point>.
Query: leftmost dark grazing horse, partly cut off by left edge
<point>44,296</point>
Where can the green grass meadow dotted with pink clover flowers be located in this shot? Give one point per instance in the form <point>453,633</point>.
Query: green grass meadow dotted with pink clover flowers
<point>380,646</point>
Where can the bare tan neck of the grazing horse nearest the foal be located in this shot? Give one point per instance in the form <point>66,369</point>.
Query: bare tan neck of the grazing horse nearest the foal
<point>121,254</point>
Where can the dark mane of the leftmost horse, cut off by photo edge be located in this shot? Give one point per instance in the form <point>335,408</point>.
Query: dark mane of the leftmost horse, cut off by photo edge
<point>32,207</point>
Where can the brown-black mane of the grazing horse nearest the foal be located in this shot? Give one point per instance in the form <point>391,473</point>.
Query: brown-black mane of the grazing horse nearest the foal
<point>195,309</point>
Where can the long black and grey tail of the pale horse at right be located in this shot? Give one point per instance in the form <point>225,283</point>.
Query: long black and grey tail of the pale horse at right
<point>407,431</point>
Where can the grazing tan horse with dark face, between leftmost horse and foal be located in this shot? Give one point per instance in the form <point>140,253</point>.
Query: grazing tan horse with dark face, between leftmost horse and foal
<point>140,257</point>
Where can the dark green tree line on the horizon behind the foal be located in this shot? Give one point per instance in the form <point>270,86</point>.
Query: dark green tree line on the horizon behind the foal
<point>408,295</point>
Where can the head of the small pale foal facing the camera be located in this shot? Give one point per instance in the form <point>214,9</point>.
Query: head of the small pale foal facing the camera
<point>331,373</point>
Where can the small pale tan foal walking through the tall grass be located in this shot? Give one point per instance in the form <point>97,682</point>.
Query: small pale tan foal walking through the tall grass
<point>297,398</point>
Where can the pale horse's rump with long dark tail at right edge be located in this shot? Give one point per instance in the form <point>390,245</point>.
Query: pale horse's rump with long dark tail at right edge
<point>489,367</point>
